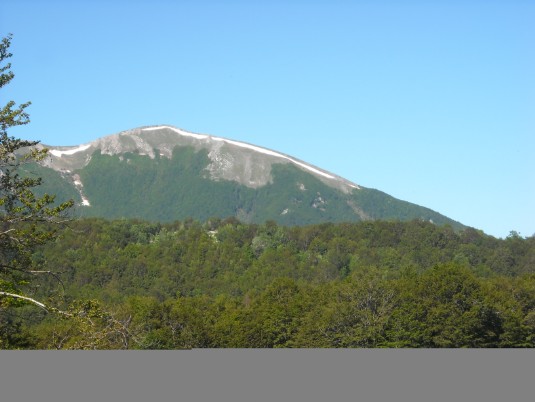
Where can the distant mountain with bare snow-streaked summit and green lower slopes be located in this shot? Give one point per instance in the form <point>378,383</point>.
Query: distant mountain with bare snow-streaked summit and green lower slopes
<point>164,173</point>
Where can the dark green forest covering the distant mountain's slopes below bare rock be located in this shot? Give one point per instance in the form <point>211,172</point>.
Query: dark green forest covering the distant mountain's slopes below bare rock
<point>180,184</point>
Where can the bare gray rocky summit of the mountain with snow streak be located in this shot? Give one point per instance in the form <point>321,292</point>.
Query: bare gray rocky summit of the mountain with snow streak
<point>244,163</point>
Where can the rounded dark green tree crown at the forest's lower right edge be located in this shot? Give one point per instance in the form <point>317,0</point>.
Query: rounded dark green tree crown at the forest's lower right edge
<point>444,307</point>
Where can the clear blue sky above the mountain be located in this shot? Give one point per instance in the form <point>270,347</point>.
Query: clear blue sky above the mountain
<point>432,102</point>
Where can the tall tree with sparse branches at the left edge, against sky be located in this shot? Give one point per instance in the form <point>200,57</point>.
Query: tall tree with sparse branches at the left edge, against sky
<point>26,220</point>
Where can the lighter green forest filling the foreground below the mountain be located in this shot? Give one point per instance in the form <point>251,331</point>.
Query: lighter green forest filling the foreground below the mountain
<point>223,283</point>
